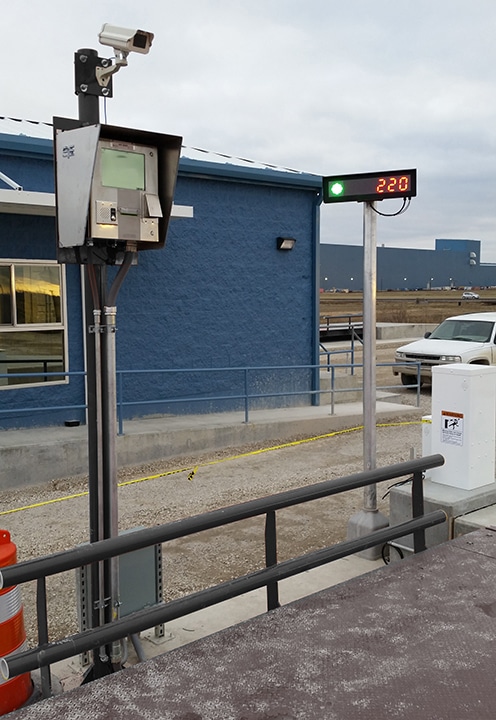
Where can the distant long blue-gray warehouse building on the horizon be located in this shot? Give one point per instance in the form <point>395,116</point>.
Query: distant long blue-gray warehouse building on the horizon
<point>453,263</point>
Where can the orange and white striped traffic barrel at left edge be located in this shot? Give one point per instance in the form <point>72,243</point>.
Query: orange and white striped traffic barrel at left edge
<point>16,691</point>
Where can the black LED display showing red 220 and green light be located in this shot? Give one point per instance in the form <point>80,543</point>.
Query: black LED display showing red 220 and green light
<point>367,187</point>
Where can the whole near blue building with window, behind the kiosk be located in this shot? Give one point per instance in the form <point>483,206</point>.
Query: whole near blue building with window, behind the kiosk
<point>219,295</point>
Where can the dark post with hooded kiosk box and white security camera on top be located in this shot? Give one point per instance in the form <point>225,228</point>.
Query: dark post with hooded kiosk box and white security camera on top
<point>84,238</point>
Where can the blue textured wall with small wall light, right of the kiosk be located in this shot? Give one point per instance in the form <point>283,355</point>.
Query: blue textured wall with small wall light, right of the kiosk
<point>221,295</point>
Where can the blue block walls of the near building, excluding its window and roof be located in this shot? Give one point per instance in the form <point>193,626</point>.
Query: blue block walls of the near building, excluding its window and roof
<point>219,295</point>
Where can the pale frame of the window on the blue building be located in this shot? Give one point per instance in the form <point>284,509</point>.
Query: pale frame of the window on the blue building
<point>37,327</point>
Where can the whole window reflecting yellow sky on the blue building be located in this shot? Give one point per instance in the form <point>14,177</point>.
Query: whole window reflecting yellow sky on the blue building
<point>32,332</point>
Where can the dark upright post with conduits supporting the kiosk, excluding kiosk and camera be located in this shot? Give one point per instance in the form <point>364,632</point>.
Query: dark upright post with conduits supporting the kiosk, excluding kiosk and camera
<point>101,431</point>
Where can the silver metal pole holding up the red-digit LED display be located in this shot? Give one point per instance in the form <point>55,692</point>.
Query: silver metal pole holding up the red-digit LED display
<point>369,347</point>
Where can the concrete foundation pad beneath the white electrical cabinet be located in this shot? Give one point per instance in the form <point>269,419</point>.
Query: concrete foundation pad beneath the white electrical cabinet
<point>455,502</point>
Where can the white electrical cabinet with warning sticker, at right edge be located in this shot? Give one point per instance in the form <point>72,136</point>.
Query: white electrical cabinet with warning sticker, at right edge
<point>464,424</point>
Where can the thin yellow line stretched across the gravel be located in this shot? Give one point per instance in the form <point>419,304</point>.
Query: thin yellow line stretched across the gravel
<point>193,470</point>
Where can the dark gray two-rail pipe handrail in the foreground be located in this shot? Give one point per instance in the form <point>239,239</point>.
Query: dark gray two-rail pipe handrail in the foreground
<point>40,568</point>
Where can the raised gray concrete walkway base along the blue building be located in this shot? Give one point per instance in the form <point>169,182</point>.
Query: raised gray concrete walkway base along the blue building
<point>38,455</point>
